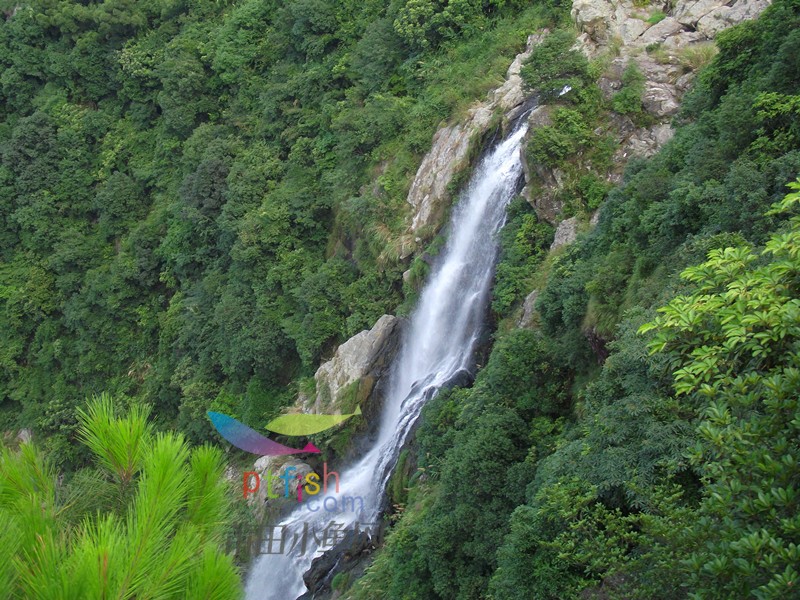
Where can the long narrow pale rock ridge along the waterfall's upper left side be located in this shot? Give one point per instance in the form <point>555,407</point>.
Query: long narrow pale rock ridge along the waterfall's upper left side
<point>451,150</point>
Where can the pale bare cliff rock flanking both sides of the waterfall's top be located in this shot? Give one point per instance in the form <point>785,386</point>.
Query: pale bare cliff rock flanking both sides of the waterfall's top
<point>666,40</point>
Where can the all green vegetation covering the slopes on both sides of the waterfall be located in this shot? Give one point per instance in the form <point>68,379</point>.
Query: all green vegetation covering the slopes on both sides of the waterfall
<point>200,200</point>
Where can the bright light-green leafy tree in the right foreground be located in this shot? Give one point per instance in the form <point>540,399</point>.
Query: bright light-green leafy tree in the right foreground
<point>734,357</point>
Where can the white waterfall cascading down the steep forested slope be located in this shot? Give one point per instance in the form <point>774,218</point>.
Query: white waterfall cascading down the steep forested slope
<point>439,342</point>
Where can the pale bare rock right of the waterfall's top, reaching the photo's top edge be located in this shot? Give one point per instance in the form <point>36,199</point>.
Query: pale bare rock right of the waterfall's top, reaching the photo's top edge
<point>666,52</point>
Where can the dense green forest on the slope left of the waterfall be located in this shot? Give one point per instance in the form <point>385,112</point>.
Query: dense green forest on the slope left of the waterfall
<point>198,200</point>
